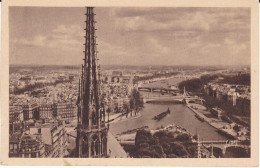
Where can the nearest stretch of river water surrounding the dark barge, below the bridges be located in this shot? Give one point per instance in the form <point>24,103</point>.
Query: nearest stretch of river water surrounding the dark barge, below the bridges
<point>180,115</point>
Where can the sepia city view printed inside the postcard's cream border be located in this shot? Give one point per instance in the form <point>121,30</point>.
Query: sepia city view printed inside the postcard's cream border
<point>130,82</point>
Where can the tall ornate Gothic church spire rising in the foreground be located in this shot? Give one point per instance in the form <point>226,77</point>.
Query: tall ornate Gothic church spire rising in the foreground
<point>91,138</point>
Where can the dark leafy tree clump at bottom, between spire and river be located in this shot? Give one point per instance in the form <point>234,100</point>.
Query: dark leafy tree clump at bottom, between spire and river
<point>163,144</point>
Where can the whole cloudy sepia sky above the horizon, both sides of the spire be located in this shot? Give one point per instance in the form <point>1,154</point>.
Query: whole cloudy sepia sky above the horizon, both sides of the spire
<point>132,36</point>
